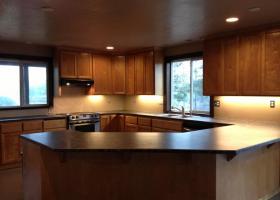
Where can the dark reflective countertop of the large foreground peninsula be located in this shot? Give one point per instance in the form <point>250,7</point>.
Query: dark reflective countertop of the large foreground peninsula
<point>232,139</point>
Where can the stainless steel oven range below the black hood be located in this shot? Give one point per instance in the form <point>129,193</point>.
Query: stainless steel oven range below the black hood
<point>84,122</point>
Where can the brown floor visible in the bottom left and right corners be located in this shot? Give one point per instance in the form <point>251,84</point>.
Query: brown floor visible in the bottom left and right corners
<point>11,185</point>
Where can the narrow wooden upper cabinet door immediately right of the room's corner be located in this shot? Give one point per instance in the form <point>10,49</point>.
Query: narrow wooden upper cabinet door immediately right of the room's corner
<point>130,75</point>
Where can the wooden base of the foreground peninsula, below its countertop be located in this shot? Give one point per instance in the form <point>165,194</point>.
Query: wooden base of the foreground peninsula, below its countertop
<point>138,175</point>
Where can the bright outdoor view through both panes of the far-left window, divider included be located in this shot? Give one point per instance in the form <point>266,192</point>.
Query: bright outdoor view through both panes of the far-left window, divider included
<point>23,84</point>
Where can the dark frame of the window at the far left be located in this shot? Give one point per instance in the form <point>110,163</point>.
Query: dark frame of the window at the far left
<point>21,60</point>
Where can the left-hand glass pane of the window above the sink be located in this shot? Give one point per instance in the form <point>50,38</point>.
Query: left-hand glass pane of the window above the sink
<point>180,84</point>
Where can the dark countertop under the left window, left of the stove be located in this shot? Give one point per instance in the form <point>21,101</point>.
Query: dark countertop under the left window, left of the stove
<point>31,117</point>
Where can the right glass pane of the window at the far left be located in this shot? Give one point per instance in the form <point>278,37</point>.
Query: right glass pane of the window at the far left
<point>37,79</point>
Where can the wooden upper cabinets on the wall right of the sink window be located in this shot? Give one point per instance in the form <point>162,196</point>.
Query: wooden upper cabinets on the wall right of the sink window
<point>245,64</point>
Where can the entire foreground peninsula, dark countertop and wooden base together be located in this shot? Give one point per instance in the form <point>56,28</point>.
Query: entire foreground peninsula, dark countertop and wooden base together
<point>223,163</point>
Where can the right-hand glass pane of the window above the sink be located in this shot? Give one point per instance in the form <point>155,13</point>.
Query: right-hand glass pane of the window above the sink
<point>200,103</point>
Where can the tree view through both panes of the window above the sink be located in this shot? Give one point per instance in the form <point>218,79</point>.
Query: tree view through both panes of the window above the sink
<point>187,86</point>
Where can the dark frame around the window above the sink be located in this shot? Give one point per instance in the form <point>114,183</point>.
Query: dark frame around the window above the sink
<point>167,82</point>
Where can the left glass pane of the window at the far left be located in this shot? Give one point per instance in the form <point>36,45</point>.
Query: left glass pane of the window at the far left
<point>10,85</point>
